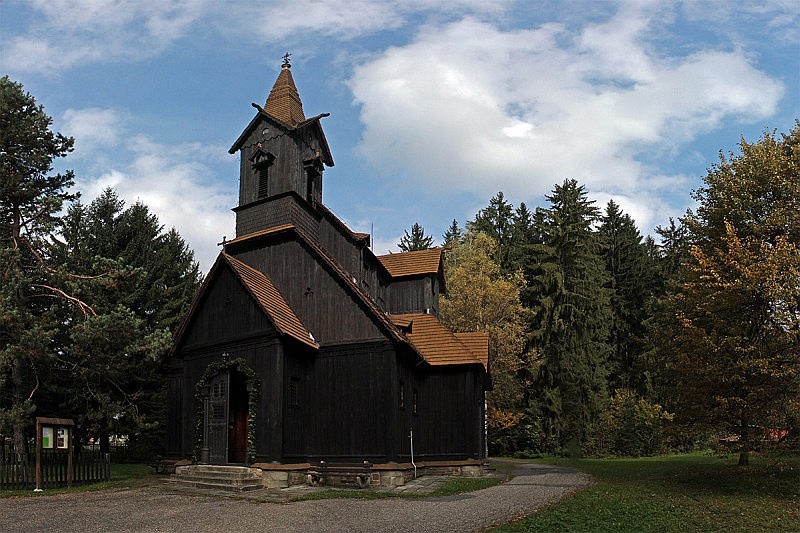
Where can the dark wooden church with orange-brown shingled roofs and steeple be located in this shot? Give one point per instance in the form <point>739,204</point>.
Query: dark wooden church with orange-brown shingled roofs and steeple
<point>302,345</point>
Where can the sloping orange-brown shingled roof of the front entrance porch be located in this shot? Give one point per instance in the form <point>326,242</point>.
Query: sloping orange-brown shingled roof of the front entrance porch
<point>271,301</point>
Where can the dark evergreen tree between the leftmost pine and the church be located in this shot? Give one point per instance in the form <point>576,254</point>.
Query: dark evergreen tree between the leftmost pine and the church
<point>142,279</point>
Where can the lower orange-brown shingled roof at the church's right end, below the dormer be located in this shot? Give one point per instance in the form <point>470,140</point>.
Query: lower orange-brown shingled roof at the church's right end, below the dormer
<point>437,344</point>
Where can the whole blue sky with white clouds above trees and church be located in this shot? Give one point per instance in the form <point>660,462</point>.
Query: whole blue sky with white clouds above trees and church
<point>435,106</point>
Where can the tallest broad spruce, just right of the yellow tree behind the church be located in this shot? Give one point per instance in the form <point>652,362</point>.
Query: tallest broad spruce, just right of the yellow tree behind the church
<point>569,315</point>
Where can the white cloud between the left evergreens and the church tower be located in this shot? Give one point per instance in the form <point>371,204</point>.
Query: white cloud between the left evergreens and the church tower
<point>178,185</point>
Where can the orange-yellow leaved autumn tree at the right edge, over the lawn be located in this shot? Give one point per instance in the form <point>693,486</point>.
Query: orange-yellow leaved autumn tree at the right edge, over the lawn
<point>733,320</point>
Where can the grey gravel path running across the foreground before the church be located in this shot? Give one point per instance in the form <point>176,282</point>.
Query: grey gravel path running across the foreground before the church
<point>154,510</point>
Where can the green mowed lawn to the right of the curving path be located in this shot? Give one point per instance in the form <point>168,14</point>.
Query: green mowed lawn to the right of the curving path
<point>677,493</point>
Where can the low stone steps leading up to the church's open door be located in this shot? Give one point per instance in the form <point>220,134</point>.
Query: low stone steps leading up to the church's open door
<point>215,478</point>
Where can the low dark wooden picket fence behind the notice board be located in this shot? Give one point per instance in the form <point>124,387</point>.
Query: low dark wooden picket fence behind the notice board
<point>20,473</point>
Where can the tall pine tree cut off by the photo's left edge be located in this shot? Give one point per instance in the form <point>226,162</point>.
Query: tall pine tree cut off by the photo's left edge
<point>30,200</point>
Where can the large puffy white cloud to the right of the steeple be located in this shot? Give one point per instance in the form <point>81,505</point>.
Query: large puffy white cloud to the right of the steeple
<point>469,106</point>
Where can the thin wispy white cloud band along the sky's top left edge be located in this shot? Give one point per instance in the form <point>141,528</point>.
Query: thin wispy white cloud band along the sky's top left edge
<point>66,33</point>
